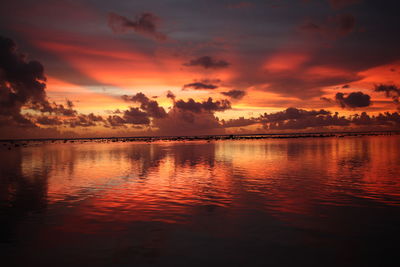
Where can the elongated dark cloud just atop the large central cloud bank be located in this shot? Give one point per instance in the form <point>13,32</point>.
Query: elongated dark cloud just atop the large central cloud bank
<point>210,105</point>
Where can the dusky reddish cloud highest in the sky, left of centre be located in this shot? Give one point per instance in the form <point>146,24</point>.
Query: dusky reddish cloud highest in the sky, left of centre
<point>145,24</point>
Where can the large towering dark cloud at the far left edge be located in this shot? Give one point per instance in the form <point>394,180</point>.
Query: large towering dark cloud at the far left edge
<point>24,105</point>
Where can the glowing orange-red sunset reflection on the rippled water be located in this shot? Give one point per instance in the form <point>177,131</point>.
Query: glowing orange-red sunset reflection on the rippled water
<point>110,185</point>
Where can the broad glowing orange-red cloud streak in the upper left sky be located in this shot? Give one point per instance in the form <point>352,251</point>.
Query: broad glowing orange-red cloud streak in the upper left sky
<point>122,67</point>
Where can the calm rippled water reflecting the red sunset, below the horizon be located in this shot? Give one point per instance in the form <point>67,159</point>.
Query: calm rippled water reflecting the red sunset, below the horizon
<point>293,202</point>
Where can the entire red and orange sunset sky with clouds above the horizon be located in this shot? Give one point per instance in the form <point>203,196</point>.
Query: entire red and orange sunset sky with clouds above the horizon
<point>178,67</point>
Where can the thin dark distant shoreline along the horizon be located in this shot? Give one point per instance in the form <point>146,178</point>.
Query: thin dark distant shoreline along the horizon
<point>207,137</point>
